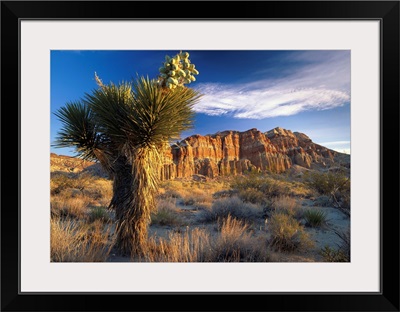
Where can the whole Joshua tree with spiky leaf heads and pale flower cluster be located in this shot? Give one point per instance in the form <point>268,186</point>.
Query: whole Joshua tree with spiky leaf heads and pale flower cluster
<point>125,128</point>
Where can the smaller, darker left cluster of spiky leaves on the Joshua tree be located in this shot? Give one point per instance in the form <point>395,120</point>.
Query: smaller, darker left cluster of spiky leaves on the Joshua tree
<point>78,130</point>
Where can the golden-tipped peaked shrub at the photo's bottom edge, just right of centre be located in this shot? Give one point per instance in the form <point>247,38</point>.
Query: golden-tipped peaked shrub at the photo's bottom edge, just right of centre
<point>236,243</point>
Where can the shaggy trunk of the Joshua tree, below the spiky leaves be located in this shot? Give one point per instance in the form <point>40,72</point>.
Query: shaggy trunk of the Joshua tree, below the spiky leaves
<point>135,185</point>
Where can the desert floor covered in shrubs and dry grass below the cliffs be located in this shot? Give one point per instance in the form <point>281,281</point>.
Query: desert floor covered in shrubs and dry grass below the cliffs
<point>263,218</point>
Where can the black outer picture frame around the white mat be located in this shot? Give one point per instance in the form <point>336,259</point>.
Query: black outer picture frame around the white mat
<point>386,11</point>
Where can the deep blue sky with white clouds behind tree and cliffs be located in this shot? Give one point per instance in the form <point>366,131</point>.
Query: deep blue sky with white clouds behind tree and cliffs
<point>304,91</point>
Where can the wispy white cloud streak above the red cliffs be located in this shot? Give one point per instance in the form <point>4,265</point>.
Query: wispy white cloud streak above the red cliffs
<point>319,85</point>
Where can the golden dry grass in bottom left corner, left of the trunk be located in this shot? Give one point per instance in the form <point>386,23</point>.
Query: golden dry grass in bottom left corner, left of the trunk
<point>72,241</point>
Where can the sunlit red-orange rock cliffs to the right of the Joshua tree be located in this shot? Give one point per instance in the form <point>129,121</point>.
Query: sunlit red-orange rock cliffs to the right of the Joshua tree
<point>233,152</point>
